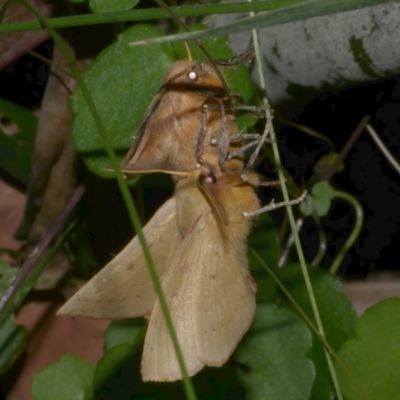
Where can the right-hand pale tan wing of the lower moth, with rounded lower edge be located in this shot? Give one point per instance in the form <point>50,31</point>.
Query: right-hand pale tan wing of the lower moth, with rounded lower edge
<point>224,302</point>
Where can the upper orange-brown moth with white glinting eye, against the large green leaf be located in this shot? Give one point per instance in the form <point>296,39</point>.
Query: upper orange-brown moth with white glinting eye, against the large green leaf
<point>178,126</point>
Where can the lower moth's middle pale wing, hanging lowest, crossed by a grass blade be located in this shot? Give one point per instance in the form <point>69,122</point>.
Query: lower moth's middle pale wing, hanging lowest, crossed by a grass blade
<point>159,362</point>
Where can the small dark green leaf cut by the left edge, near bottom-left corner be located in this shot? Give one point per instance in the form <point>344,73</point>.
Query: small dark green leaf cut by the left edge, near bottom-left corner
<point>13,339</point>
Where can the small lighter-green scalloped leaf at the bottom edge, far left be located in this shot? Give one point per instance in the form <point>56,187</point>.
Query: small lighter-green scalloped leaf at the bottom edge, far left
<point>71,378</point>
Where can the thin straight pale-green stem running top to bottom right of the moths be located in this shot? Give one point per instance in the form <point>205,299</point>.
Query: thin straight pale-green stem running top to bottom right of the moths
<point>290,214</point>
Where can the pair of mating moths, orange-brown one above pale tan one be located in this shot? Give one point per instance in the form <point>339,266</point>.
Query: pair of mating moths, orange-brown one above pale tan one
<point>197,238</point>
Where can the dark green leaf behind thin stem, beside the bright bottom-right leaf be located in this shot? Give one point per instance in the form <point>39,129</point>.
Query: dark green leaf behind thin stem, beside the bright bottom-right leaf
<point>337,314</point>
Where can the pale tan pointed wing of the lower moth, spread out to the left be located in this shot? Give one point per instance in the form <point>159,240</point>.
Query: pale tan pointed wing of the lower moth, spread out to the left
<point>123,288</point>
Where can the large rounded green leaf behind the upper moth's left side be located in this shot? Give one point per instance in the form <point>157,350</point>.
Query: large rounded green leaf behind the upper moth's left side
<point>123,80</point>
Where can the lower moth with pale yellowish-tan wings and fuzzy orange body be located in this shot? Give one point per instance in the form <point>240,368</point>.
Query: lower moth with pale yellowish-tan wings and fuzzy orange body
<point>198,244</point>
